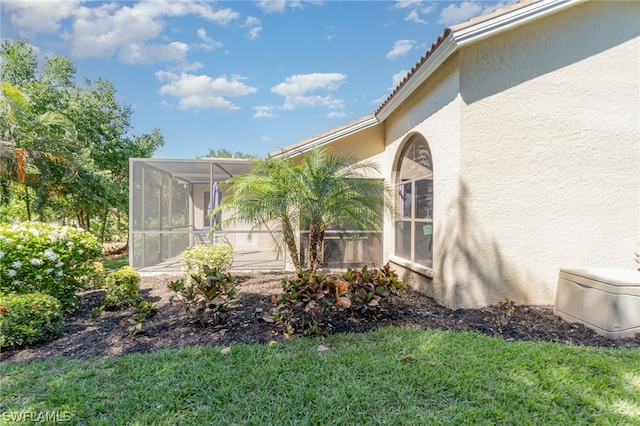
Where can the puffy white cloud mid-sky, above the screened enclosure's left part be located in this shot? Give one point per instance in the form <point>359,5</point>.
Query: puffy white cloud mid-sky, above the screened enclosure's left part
<point>202,91</point>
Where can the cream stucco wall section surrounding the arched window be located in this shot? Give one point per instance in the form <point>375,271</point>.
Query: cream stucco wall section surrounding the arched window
<point>434,112</point>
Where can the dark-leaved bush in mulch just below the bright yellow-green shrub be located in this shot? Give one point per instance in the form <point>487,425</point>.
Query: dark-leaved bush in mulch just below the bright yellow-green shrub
<point>204,298</point>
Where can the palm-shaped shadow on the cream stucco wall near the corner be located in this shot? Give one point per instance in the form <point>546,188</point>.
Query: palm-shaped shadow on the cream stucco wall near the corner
<point>472,270</point>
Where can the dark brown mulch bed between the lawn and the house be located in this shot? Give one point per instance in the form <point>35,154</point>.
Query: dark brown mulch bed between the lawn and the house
<point>84,336</point>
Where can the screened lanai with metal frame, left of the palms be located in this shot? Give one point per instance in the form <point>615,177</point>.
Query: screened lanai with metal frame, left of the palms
<point>169,209</point>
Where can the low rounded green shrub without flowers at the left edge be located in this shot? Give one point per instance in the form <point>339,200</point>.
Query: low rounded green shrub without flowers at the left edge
<point>28,318</point>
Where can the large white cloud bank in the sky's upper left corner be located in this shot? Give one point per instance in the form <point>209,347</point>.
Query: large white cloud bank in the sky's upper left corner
<point>132,31</point>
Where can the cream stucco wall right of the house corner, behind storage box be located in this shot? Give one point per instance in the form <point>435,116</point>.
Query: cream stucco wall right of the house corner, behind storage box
<point>550,154</point>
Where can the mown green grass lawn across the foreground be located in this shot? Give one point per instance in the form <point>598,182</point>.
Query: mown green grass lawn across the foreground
<point>393,376</point>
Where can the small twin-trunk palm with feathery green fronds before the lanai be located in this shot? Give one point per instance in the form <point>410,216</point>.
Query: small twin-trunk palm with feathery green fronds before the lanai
<point>324,192</point>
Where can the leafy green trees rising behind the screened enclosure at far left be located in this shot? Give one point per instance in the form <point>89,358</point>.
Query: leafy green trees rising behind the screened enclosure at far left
<point>65,145</point>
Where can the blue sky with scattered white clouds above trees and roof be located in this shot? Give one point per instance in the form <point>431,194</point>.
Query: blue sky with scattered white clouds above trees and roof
<point>248,76</point>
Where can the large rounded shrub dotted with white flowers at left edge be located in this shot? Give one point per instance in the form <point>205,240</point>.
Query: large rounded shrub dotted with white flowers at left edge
<point>47,258</point>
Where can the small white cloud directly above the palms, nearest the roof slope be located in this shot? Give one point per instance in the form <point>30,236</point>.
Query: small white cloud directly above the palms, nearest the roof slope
<point>299,88</point>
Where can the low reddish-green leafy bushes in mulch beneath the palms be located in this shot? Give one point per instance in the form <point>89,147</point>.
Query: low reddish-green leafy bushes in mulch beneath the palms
<point>306,298</point>
